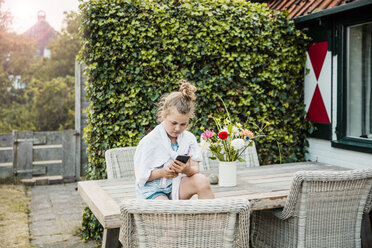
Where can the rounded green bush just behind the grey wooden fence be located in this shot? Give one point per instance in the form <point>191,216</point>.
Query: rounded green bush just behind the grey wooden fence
<point>46,106</point>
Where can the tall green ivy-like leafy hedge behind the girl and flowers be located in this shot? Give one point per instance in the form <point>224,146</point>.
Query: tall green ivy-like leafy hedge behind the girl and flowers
<point>135,51</point>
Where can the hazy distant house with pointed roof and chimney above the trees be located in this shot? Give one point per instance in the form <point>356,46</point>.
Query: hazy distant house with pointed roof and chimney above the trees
<point>42,33</point>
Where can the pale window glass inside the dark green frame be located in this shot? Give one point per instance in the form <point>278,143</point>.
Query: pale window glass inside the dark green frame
<point>359,81</point>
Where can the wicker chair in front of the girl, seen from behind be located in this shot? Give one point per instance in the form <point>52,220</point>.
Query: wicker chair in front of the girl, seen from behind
<point>192,223</point>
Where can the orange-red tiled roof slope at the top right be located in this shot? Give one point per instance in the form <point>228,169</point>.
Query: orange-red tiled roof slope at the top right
<point>297,8</point>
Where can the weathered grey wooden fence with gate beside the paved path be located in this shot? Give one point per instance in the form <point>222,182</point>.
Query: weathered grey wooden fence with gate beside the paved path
<point>28,154</point>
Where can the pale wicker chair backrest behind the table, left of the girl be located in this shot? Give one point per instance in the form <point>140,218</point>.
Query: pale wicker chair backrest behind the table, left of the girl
<point>119,162</point>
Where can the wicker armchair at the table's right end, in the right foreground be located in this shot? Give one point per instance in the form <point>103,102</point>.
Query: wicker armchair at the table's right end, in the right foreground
<point>323,209</point>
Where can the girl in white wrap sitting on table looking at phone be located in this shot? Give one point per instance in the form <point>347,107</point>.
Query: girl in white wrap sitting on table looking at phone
<point>158,175</point>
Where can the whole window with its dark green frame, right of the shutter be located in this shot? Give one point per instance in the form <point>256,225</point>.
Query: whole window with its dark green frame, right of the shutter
<point>353,39</point>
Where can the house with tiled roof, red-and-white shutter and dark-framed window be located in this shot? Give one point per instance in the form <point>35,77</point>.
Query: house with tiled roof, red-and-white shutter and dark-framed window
<point>338,87</point>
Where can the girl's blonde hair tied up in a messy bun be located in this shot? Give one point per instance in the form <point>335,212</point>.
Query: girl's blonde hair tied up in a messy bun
<point>182,101</point>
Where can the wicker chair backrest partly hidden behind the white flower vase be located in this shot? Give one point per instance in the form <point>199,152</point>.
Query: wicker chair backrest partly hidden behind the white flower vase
<point>250,159</point>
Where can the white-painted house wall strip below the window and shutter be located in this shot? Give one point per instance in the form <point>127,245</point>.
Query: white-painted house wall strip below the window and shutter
<point>322,151</point>
